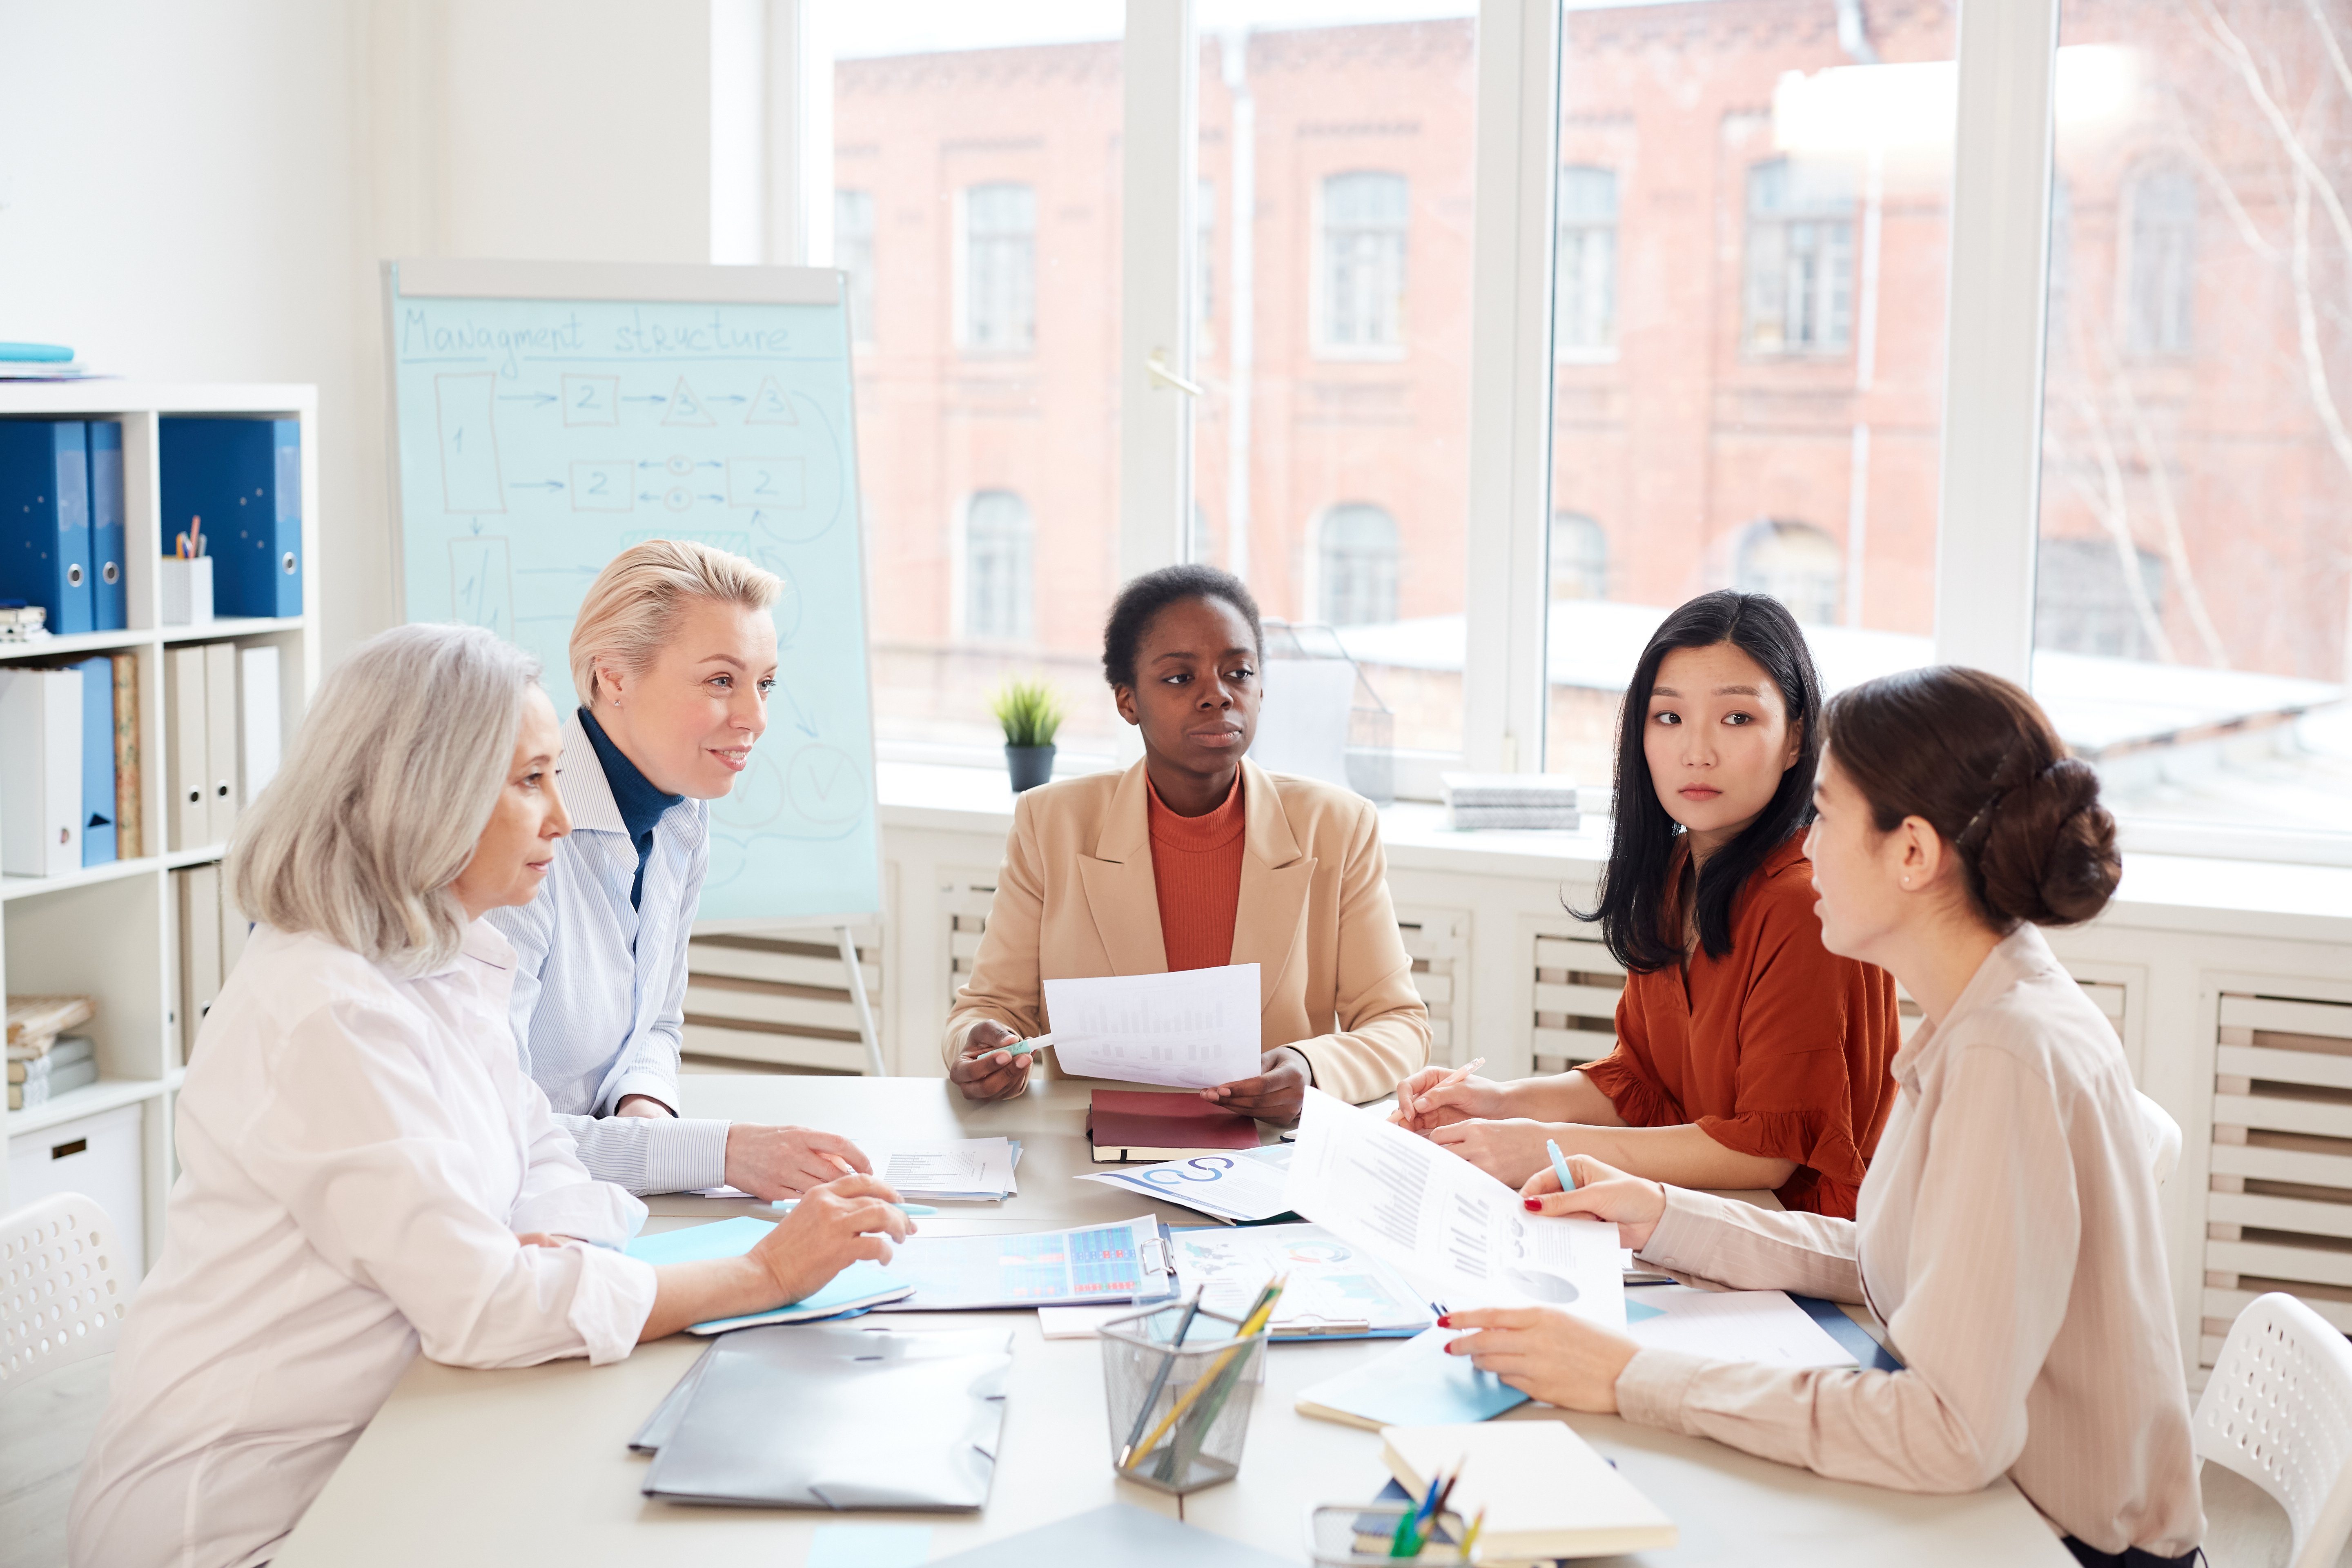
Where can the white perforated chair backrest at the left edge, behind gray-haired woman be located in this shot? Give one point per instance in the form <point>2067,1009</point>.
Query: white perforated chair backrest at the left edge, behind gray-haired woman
<point>65,1287</point>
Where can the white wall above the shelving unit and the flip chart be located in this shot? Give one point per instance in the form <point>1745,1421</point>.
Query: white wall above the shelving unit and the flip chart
<point>203,192</point>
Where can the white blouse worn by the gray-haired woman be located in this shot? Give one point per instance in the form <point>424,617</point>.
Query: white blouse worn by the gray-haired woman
<point>356,1155</point>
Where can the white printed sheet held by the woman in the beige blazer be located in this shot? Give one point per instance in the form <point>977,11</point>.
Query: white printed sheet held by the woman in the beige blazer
<point>1187,1031</point>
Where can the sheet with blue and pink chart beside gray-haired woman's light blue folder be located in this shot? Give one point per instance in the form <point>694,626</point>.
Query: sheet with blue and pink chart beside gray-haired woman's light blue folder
<point>1055,1268</point>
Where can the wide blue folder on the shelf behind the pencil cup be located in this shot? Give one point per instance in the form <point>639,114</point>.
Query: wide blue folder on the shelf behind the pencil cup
<point>243,481</point>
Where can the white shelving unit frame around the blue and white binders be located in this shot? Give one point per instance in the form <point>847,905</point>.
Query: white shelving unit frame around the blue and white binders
<point>112,930</point>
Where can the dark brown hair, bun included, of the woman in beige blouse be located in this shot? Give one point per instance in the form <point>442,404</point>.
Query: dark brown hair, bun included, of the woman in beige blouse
<point>1984,765</point>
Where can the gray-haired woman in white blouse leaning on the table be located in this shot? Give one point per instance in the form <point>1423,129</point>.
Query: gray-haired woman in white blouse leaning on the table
<point>363,1172</point>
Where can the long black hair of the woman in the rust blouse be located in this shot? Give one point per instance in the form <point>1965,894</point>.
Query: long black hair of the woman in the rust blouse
<point>1636,897</point>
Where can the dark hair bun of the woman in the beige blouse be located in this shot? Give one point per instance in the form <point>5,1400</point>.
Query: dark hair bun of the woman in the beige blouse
<point>2050,850</point>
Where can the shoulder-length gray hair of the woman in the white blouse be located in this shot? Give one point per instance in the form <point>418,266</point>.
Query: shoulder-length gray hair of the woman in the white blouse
<point>387,793</point>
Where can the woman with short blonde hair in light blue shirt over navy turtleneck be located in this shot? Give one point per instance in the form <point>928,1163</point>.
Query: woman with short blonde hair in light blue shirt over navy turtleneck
<point>674,655</point>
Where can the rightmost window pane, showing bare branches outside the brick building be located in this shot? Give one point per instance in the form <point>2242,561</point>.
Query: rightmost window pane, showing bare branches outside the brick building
<point>2196,558</point>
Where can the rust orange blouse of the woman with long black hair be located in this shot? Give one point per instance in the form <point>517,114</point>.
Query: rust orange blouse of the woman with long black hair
<point>1777,1050</point>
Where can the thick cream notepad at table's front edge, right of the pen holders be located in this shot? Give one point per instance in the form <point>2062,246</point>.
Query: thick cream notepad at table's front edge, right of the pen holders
<point>1546,1494</point>
